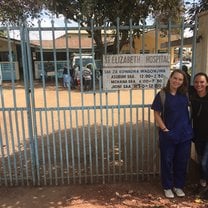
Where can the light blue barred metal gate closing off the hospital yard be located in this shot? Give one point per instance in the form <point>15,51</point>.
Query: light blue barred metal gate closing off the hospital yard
<point>52,134</point>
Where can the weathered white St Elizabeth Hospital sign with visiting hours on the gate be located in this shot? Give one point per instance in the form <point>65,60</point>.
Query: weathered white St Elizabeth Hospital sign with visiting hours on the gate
<point>135,71</point>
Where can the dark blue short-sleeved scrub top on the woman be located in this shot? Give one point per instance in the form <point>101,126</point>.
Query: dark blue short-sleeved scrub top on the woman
<point>176,117</point>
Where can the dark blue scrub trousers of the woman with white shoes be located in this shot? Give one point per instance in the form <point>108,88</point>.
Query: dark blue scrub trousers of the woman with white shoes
<point>174,161</point>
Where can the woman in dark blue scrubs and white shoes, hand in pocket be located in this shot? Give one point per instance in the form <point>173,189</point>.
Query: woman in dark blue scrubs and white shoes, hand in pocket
<point>175,133</point>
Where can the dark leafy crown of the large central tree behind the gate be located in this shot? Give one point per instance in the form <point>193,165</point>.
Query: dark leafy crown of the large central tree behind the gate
<point>105,12</point>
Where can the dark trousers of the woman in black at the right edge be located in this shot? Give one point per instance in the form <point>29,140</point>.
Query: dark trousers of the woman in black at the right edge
<point>202,154</point>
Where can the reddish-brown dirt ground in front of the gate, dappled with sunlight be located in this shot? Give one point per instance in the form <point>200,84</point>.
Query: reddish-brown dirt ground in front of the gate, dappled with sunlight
<point>123,195</point>
